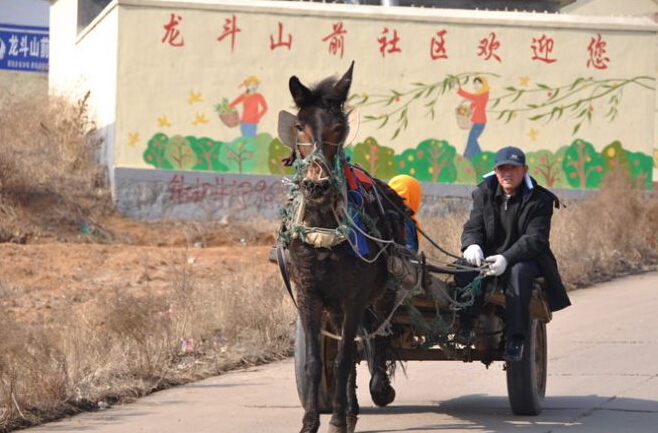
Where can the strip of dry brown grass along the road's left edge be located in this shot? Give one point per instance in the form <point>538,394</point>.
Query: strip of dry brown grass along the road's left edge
<point>126,345</point>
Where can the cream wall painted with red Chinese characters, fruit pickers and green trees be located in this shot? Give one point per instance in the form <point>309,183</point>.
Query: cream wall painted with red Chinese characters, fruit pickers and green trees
<point>576,93</point>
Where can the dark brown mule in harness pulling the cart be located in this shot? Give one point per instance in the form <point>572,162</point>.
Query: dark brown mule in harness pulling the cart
<point>336,276</point>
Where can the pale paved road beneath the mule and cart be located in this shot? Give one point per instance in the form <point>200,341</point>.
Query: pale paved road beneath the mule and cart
<point>603,378</point>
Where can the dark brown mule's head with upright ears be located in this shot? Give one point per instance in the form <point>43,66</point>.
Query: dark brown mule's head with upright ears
<point>320,129</point>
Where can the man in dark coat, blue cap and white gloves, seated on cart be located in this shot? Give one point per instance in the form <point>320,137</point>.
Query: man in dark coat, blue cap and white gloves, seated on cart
<point>508,229</point>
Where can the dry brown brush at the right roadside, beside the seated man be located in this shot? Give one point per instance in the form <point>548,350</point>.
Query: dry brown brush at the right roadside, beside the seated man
<point>611,232</point>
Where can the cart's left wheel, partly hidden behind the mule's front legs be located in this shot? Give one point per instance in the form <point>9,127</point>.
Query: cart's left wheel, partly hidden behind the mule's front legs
<point>328,349</point>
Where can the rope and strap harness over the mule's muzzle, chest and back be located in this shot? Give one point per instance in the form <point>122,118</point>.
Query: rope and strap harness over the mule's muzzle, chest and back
<point>346,214</point>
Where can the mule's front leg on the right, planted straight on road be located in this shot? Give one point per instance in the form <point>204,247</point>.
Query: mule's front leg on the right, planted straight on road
<point>342,367</point>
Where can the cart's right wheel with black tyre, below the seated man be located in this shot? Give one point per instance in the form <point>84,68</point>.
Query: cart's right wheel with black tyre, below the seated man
<point>526,379</point>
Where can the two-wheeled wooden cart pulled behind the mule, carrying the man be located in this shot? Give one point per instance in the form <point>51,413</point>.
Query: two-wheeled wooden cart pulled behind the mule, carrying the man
<point>526,379</point>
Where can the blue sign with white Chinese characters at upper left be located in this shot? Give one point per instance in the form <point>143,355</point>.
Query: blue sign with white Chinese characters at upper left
<point>24,48</point>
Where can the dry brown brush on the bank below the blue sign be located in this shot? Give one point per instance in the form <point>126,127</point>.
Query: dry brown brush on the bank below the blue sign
<point>47,161</point>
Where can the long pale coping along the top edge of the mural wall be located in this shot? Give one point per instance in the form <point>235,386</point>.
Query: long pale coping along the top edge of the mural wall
<point>457,16</point>
